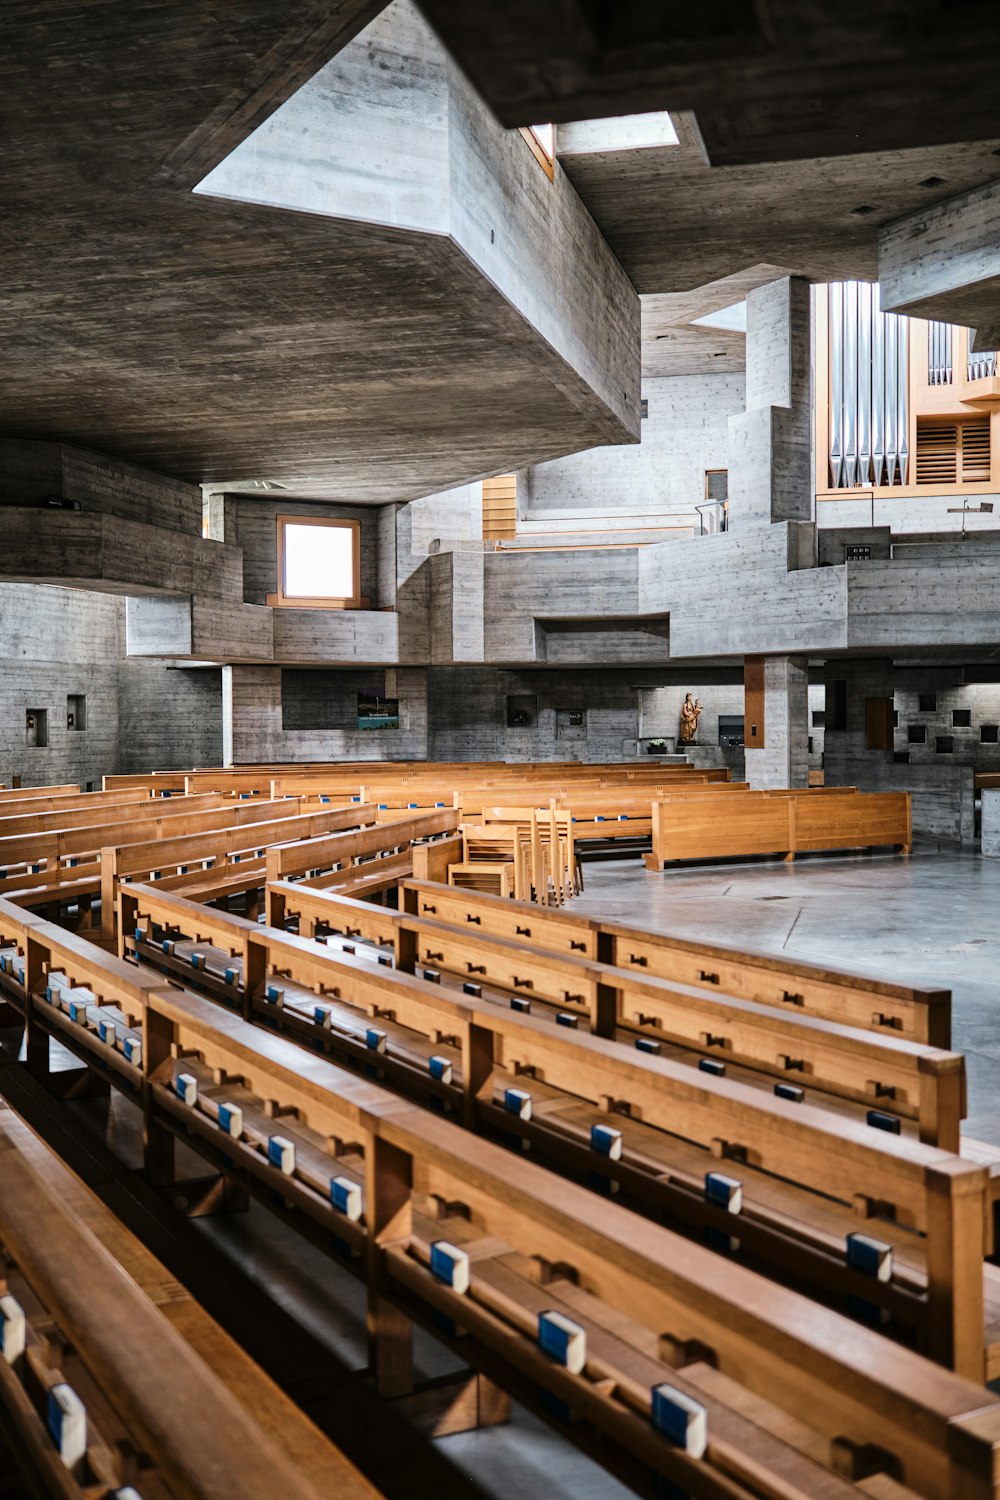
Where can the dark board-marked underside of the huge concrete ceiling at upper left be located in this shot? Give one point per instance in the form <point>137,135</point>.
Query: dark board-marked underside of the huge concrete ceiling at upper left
<point>220,341</point>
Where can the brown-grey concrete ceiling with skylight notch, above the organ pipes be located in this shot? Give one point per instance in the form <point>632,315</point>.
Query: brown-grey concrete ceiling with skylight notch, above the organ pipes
<point>678,224</point>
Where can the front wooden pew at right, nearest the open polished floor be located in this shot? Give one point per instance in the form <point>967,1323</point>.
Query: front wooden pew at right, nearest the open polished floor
<point>920,1013</point>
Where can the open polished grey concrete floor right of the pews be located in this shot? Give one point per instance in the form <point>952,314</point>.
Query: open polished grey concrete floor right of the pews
<point>932,919</point>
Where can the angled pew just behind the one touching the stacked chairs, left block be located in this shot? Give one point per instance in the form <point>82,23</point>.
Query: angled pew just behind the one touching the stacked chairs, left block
<point>221,862</point>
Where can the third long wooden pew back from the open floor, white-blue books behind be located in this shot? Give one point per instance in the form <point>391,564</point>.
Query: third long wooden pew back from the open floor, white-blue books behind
<point>938,1289</point>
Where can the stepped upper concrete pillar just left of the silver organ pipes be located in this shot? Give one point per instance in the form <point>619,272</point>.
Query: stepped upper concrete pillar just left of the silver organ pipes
<point>770,466</point>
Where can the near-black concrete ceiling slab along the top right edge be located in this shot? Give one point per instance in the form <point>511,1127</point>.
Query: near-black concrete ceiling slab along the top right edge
<point>774,80</point>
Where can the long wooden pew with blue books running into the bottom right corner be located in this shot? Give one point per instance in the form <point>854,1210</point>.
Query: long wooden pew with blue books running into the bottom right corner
<point>759,1357</point>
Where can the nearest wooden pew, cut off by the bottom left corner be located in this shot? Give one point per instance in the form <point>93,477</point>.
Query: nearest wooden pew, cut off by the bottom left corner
<point>197,1414</point>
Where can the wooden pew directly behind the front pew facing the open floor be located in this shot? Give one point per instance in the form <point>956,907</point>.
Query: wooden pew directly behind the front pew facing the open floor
<point>830,1061</point>
